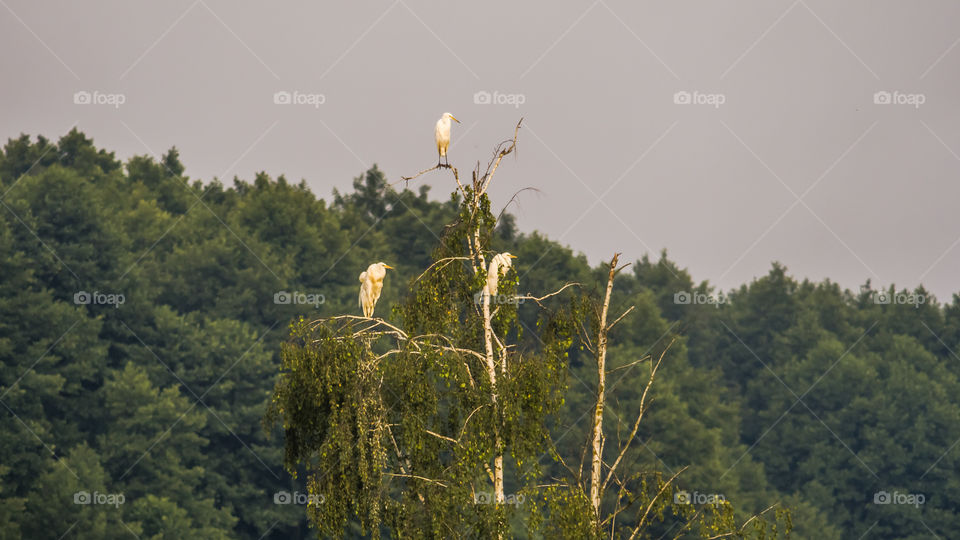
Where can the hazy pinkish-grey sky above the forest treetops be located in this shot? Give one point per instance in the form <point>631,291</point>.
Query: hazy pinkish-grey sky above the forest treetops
<point>787,156</point>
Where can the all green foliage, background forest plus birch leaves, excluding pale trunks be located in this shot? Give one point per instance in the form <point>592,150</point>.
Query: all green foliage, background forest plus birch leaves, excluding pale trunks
<point>790,391</point>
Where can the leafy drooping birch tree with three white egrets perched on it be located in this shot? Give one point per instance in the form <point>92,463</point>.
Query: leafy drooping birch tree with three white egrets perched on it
<point>415,421</point>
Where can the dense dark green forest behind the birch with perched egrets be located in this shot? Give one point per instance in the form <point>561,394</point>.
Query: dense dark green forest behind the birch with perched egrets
<point>144,312</point>
